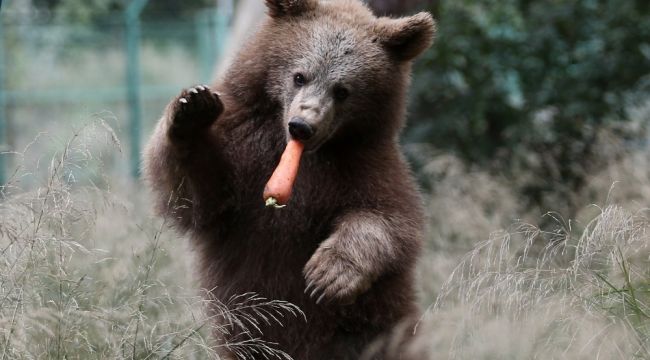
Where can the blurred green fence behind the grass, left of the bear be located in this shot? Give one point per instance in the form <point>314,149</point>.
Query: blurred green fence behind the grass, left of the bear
<point>54,75</point>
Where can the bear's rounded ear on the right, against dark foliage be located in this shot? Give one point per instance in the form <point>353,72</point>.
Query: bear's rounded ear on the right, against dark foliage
<point>406,38</point>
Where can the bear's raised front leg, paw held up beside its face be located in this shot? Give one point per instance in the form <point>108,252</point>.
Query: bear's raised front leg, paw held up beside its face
<point>182,161</point>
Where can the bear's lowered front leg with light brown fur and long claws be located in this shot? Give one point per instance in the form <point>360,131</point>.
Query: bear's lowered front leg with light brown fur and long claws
<point>362,248</point>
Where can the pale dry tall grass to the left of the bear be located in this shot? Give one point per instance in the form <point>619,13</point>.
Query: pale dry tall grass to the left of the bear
<point>87,274</point>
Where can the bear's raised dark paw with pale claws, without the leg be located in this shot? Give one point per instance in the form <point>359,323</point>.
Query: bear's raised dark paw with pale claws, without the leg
<point>194,110</point>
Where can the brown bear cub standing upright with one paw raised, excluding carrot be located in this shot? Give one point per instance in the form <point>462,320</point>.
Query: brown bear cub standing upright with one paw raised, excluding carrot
<point>332,75</point>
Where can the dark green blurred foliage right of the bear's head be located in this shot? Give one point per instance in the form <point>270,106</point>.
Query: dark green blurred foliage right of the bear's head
<point>530,83</point>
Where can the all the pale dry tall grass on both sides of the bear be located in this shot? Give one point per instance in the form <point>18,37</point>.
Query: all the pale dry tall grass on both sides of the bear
<point>87,273</point>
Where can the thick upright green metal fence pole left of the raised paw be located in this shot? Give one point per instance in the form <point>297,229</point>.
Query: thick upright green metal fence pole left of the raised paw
<point>132,19</point>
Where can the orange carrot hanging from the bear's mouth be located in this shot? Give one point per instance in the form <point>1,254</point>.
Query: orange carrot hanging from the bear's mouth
<point>278,189</point>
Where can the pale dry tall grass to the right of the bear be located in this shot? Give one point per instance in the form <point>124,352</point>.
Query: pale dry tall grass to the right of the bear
<point>570,289</point>
